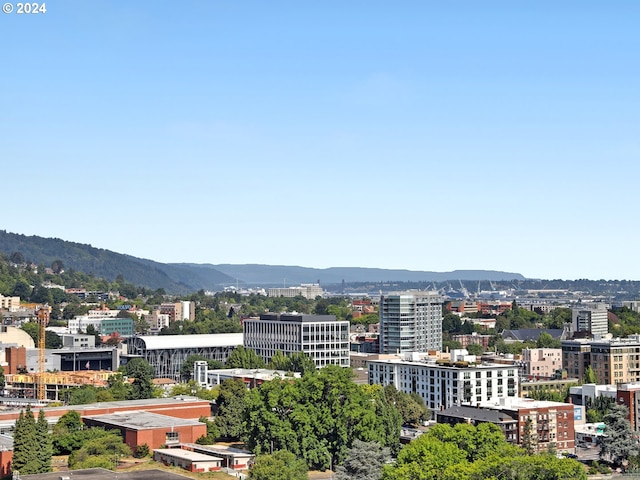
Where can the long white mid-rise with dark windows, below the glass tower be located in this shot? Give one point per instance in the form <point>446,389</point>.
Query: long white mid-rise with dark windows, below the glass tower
<point>443,384</point>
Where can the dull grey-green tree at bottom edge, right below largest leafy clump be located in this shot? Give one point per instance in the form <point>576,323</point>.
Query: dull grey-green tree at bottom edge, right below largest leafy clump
<point>364,461</point>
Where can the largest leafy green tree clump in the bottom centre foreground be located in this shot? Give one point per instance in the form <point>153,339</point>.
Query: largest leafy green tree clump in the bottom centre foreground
<point>318,417</point>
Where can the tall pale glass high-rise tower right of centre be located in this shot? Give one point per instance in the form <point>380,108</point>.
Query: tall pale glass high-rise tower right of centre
<point>410,322</point>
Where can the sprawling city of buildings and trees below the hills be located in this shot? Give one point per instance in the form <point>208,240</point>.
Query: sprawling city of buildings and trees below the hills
<point>182,380</point>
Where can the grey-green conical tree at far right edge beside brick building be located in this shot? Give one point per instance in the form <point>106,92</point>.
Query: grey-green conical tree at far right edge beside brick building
<point>619,443</point>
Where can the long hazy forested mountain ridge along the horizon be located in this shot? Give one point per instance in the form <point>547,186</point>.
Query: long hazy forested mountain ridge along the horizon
<point>180,278</point>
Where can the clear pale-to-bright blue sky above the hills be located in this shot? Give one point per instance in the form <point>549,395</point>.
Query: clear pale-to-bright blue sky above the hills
<point>412,134</point>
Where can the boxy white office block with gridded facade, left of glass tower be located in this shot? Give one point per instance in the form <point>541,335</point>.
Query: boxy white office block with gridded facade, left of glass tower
<point>322,337</point>
